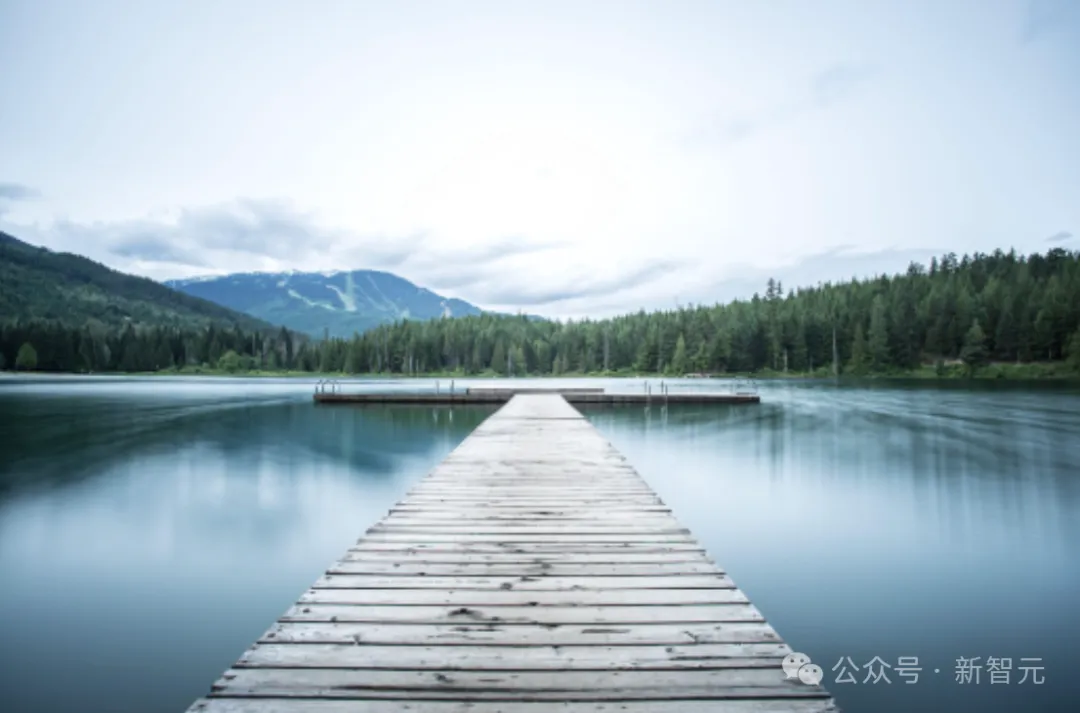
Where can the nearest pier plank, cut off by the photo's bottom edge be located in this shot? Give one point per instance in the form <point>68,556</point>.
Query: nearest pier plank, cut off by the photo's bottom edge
<point>228,705</point>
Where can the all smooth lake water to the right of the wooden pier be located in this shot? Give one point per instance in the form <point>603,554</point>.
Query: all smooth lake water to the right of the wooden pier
<point>888,522</point>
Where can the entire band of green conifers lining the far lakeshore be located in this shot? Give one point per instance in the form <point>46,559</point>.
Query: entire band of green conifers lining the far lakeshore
<point>1000,307</point>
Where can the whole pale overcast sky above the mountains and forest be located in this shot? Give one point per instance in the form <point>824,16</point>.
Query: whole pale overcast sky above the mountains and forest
<point>562,158</point>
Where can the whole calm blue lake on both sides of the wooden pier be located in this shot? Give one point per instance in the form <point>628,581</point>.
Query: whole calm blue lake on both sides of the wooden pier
<point>152,530</point>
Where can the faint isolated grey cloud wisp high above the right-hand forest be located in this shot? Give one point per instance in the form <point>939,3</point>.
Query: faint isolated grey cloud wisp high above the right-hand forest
<point>827,88</point>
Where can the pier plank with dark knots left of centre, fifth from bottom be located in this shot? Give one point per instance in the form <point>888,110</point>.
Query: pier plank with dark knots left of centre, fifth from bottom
<point>525,615</point>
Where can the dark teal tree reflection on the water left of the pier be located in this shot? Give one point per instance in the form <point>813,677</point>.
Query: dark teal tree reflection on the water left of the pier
<point>51,439</point>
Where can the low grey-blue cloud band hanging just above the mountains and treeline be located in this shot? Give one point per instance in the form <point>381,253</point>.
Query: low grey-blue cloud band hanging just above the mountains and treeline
<point>508,275</point>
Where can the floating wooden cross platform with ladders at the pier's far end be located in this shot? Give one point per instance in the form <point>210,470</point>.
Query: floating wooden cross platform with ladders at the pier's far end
<point>499,396</point>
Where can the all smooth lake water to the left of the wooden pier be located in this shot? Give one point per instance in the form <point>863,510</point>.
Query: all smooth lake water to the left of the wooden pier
<point>147,539</point>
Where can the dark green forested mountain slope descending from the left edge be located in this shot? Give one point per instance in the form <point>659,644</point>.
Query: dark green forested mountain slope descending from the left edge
<point>37,284</point>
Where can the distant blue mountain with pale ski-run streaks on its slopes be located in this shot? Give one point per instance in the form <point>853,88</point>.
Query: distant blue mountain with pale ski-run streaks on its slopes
<point>339,303</point>
